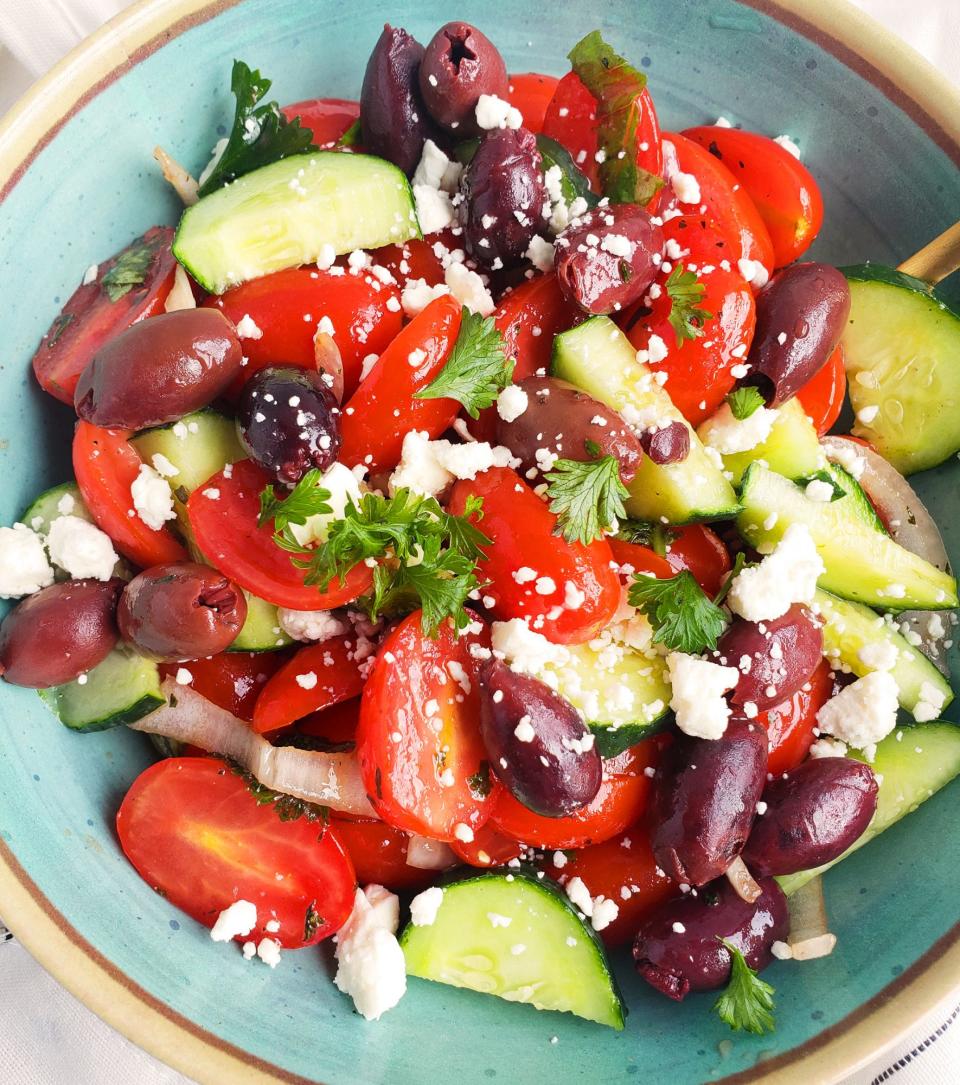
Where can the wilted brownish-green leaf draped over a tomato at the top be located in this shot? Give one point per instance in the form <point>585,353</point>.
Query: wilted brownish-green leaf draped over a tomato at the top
<point>617,85</point>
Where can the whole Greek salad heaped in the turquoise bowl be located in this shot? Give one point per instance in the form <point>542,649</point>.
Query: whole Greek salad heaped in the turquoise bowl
<point>459,507</point>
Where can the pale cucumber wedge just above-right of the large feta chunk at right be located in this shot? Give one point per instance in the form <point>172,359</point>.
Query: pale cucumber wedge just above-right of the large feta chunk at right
<point>862,564</point>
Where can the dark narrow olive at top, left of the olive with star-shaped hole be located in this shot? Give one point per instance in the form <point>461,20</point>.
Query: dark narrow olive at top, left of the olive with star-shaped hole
<point>394,120</point>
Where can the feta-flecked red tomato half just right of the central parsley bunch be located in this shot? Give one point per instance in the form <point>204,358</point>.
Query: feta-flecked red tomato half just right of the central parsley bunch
<point>530,566</point>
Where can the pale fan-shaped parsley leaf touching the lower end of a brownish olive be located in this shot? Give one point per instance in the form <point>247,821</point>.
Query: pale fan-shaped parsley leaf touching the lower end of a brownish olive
<point>587,497</point>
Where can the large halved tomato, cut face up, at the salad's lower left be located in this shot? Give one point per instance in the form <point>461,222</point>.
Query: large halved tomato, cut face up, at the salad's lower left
<point>197,835</point>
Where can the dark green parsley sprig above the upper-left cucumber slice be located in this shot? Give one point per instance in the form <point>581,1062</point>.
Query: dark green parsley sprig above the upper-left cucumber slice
<point>261,134</point>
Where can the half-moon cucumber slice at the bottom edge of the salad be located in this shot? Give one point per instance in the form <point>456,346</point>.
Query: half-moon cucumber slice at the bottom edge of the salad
<point>484,918</point>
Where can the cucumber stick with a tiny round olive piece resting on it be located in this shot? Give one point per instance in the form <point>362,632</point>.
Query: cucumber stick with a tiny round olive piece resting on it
<point>598,359</point>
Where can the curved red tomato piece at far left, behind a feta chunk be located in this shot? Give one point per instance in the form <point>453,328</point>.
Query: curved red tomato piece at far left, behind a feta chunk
<point>106,466</point>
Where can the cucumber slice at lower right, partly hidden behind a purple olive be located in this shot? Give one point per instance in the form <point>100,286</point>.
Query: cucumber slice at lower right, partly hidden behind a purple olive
<point>910,780</point>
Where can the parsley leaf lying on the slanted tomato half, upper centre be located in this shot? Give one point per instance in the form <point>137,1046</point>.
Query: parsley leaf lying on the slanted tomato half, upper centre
<point>478,369</point>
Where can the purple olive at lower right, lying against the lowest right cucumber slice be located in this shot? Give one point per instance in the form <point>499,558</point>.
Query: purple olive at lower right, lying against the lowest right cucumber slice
<point>814,814</point>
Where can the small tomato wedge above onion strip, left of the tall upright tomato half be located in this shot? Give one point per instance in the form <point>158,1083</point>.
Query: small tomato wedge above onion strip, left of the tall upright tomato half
<point>314,679</point>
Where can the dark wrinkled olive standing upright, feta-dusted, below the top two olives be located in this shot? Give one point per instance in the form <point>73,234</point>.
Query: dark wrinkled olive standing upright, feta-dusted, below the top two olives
<point>504,197</point>
